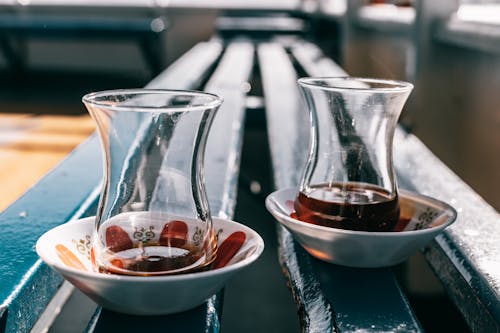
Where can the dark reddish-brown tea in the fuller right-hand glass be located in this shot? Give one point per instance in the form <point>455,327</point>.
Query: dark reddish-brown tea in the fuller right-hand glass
<point>352,206</point>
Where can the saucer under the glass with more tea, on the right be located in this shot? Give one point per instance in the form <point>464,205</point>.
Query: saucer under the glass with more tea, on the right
<point>426,217</point>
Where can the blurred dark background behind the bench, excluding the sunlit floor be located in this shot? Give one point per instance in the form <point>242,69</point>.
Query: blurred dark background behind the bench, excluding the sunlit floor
<point>53,51</point>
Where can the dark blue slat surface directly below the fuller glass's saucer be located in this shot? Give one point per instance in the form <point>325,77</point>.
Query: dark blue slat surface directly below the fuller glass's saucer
<point>365,299</point>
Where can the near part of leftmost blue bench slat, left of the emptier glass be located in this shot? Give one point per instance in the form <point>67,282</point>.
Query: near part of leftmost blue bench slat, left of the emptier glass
<point>66,192</point>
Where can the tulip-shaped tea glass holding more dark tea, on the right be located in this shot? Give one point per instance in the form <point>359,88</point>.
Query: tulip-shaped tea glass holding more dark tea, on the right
<point>349,180</point>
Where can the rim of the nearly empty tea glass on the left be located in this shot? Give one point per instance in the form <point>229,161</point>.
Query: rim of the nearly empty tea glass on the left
<point>214,101</point>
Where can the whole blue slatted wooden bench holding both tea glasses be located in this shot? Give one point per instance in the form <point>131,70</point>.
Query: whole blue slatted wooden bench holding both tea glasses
<point>330,298</point>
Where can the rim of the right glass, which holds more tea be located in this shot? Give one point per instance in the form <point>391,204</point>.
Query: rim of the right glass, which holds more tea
<point>392,86</point>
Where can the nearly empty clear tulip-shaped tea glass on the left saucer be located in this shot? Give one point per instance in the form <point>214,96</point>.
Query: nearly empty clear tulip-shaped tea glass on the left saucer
<point>153,216</point>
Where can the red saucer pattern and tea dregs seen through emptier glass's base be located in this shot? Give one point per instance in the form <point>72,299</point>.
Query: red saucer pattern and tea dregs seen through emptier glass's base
<point>146,251</point>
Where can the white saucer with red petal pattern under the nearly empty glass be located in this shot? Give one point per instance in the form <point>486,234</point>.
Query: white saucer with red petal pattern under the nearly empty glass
<point>66,249</point>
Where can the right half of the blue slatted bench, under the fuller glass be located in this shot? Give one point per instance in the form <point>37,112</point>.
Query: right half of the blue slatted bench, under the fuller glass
<point>341,299</point>
